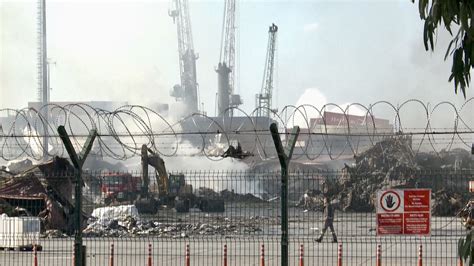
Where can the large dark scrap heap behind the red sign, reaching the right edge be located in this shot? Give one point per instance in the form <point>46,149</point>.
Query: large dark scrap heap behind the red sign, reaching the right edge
<point>391,163</point>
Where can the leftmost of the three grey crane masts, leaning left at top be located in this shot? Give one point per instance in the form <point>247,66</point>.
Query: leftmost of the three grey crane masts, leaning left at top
<point>187,91</point>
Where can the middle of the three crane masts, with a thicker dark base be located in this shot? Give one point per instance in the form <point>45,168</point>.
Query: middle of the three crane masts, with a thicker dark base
<point>226,67</point>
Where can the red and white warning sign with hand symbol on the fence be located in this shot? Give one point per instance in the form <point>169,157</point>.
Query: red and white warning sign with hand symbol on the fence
<point>404,212</point>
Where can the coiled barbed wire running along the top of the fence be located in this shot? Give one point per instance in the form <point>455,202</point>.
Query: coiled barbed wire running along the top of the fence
<point>331,130</point>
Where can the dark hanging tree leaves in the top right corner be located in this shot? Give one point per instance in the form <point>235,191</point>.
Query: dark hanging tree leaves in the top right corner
<point>456,15</point>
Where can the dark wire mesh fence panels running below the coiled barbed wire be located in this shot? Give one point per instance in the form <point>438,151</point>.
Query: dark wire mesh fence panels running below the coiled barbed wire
<point>208,210</point>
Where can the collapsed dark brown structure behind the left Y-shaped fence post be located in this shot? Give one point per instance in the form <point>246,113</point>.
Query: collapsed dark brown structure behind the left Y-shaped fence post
<point>43,190</point>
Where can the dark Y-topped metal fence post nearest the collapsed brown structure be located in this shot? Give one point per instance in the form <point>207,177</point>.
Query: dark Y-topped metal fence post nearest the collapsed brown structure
<point>77,161</point>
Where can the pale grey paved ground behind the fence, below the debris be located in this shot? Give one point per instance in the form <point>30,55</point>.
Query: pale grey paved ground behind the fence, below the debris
<point>355,231</point>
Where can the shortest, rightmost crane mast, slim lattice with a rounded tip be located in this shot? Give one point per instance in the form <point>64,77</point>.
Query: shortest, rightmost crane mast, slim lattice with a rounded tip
<point>264,99</point>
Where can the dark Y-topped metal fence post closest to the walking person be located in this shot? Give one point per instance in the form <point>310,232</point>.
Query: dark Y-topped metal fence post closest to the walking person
<point>284,156</point>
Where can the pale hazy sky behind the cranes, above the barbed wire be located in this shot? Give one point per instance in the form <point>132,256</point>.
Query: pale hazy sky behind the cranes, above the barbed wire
<point>351,51</point>
